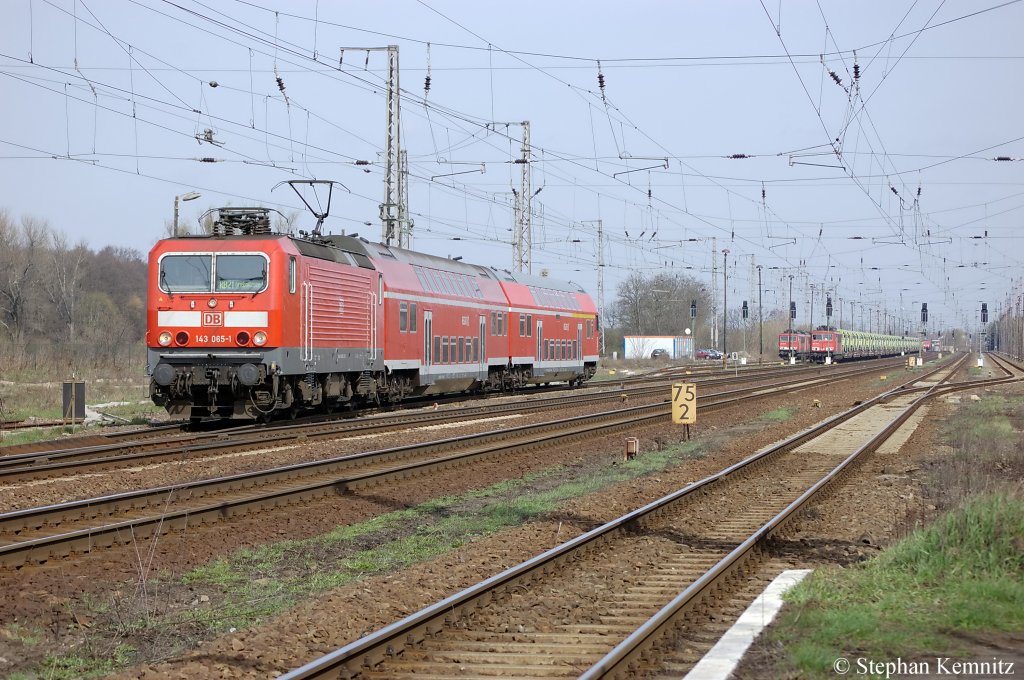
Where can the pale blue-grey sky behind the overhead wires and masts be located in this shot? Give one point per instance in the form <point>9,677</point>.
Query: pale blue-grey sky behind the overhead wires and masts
<point>883,187</point>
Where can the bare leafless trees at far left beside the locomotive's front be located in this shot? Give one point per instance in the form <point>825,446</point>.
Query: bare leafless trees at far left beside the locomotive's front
<point>63,306</point>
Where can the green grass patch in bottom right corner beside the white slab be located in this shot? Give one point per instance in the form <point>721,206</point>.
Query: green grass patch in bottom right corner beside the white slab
<point>964,573</point>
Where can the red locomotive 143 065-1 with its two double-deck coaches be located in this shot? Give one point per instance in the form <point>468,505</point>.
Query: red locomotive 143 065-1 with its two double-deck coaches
<point>245,323</point>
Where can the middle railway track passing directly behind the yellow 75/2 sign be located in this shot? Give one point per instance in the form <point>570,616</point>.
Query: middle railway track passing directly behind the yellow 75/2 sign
<point>40,535</point>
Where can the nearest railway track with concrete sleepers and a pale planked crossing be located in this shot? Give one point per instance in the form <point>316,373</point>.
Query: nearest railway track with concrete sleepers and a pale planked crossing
<point>619,601</point>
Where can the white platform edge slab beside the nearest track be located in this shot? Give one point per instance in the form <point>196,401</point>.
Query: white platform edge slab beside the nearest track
<point>723,659</point>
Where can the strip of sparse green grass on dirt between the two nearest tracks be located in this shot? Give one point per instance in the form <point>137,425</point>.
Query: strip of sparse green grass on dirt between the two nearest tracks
<point>259,582</point>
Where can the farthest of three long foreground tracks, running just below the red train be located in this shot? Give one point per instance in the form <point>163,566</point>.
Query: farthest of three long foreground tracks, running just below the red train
<point>178,446</point>
